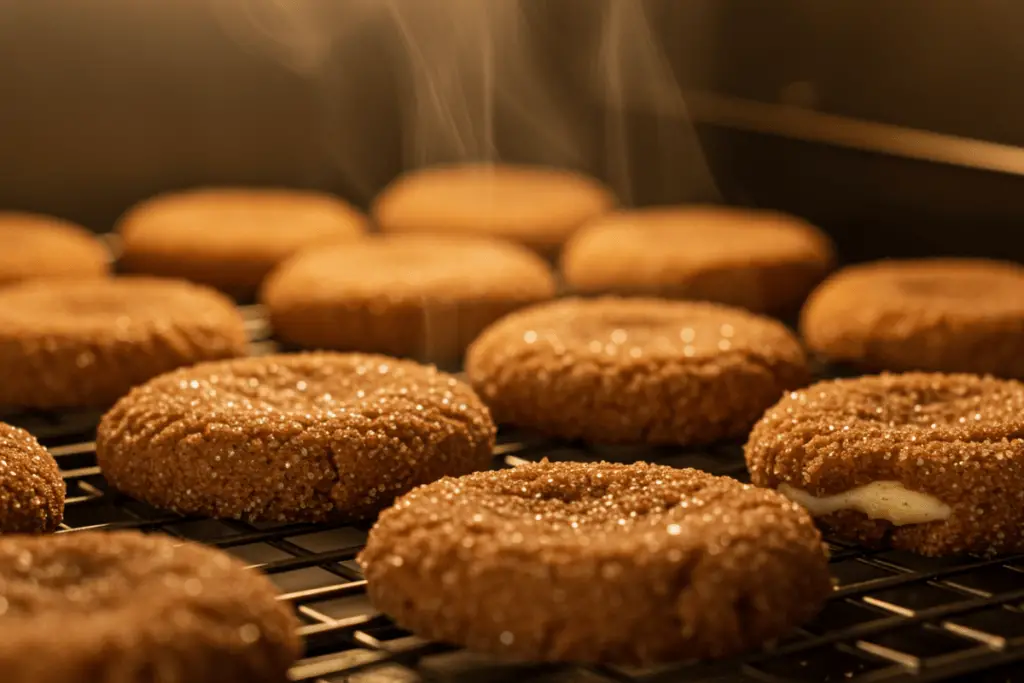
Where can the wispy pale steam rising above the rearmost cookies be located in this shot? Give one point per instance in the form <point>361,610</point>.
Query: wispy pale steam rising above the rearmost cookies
<point>556,83</point>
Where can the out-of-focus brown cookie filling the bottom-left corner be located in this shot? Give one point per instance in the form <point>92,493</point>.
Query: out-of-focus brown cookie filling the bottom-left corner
<point>96,608</point>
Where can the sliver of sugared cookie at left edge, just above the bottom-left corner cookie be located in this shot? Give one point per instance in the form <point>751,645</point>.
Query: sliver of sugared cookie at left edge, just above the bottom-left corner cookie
<point>32,491</point>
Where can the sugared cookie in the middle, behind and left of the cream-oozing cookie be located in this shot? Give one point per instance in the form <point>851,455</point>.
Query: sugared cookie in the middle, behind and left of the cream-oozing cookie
<point>620,371</point>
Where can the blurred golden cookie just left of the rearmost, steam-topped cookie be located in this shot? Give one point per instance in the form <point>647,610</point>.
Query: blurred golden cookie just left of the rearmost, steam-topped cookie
<point>231,238</point>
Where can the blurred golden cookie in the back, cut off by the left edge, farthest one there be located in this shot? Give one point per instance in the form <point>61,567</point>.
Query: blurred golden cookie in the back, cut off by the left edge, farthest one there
<point>37,246</point>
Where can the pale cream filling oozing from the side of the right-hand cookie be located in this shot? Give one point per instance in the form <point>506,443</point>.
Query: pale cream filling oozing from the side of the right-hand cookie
<point>880,500</point>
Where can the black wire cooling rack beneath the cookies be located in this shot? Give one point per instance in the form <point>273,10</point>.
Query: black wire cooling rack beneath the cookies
<point>894,617</point>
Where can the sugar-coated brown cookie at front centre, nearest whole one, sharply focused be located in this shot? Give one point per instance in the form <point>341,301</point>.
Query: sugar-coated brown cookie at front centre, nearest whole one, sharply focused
<point>596,563</point>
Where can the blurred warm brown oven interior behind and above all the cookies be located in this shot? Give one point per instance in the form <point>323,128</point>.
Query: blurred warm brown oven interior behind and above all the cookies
<point>106,102</point>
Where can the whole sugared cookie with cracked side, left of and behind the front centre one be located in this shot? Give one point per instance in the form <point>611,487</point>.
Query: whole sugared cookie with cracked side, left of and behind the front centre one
<point>306,438</point>
